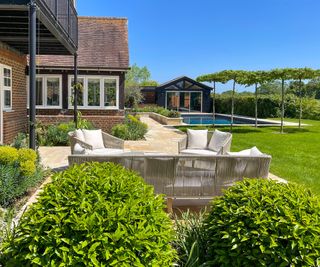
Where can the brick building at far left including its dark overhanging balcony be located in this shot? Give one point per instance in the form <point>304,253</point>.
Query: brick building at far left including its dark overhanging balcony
<point>27,27</point>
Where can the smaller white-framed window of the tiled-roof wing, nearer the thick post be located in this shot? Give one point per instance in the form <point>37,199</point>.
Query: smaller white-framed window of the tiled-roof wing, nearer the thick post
<point>48,91</point>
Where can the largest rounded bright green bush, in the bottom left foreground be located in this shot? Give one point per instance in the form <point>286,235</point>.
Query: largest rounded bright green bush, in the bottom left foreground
<point>93,215</point>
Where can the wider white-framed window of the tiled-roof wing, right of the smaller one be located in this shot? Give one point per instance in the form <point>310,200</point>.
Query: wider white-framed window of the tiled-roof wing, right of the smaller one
<point>98,92</point>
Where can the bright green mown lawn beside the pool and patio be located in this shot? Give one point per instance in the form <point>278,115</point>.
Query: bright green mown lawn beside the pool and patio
<point>295,154</point>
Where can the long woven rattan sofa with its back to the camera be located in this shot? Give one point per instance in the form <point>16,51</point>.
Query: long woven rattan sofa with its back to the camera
<point>187,176</point>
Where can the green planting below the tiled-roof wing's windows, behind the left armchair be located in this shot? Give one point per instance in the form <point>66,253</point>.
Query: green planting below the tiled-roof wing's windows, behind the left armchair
<point>57,135</point>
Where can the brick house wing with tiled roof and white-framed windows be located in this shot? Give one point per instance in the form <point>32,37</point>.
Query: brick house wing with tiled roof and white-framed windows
<point>103,60</point>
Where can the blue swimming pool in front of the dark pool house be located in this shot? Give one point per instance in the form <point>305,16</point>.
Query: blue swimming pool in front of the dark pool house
<point>207,119</point>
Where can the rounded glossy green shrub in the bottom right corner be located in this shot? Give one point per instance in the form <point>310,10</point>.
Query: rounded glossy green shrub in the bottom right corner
<point>264,223</point>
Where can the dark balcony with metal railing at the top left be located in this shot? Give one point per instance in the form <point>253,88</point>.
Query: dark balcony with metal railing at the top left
<point>57,26</point>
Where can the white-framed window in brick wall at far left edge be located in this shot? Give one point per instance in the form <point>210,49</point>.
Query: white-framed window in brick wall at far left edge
<point>7,86</point>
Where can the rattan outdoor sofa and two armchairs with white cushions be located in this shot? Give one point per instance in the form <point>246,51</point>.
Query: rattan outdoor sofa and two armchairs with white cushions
<point>185,175</point>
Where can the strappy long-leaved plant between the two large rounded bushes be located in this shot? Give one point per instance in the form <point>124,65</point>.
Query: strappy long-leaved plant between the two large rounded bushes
<point>189,238</point>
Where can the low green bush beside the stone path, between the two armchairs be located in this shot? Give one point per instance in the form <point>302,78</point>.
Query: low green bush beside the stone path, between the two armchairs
<point>132,129</point>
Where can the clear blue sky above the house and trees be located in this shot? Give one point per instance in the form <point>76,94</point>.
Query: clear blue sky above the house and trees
<point>194,37</point>
